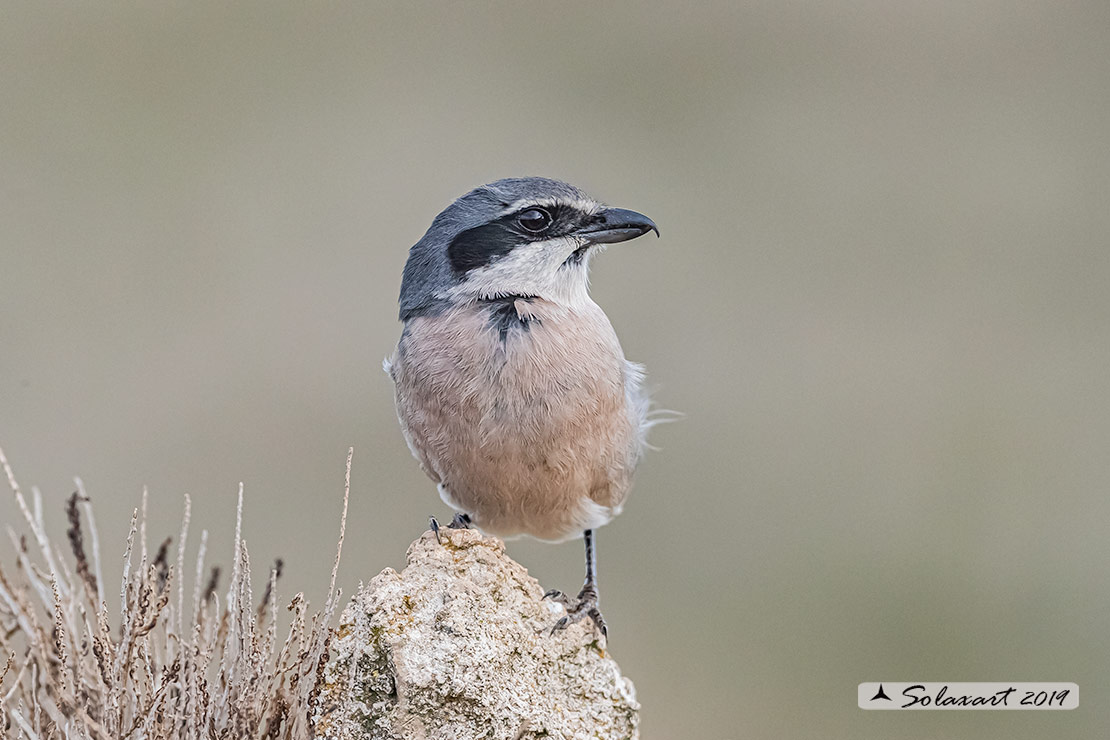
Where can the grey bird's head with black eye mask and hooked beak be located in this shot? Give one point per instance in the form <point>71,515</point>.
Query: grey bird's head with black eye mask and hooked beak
<point>529,237</point>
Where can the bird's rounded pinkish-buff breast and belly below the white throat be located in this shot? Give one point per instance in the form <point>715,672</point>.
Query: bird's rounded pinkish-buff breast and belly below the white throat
<point>526,414</point>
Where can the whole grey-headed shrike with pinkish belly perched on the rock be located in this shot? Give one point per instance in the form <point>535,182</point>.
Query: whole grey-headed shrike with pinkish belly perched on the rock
<point>510,383</point>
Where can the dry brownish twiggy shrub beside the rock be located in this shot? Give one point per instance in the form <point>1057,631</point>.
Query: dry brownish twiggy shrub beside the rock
<point>209,670</point>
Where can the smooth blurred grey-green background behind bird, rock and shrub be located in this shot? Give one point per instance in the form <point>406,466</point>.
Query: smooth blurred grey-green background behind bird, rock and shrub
<point>881,300</point>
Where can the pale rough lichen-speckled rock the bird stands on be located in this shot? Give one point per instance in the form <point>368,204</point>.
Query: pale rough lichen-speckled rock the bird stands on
<point>458,647</point>
